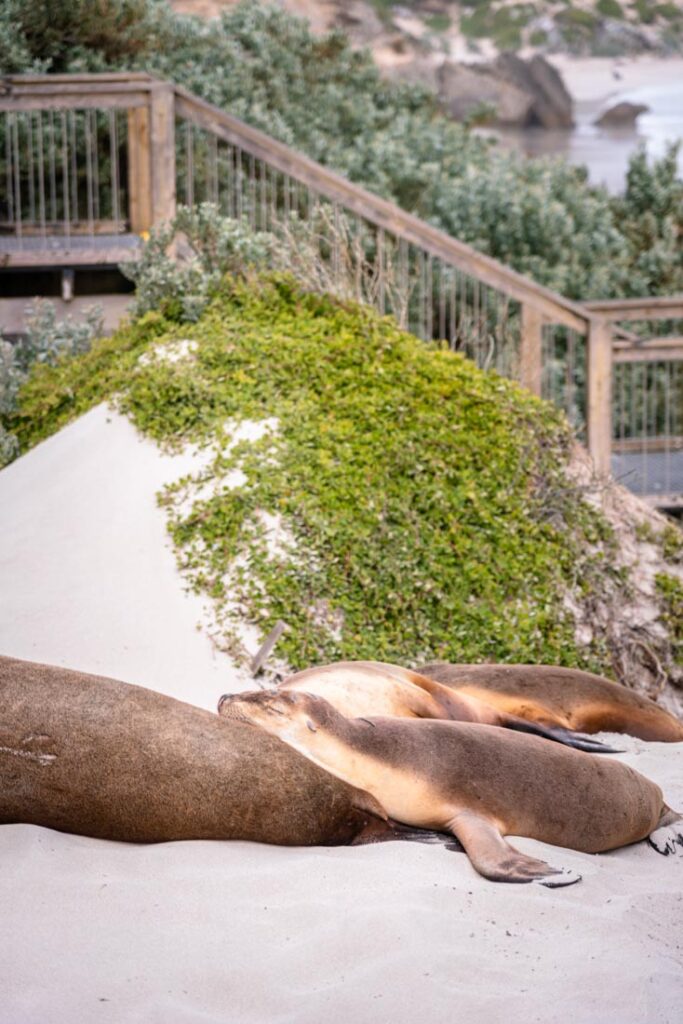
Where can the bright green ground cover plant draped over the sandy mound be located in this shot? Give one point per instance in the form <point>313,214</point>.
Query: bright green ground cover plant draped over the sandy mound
<point>426,506</point>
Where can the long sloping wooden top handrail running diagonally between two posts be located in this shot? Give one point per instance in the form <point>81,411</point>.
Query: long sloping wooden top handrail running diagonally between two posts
<point>385,215</point>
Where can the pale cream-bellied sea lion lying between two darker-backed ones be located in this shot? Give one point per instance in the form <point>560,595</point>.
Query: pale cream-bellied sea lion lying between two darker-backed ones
<point>362,689</point>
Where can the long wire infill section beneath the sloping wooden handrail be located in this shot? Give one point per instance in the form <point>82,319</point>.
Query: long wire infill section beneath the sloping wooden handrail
<point>333,249</point>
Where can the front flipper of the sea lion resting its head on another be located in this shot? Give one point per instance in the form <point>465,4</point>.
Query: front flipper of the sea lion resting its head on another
<point>493,857</point>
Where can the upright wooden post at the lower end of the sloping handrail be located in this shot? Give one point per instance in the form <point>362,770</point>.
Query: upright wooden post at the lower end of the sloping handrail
<point>599,400</point>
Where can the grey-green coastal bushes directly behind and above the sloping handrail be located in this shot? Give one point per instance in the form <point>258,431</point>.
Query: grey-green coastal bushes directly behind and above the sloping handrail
<point>323,98</point>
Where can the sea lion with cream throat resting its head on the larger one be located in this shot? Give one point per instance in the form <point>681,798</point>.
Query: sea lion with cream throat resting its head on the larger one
<point>478,783</point>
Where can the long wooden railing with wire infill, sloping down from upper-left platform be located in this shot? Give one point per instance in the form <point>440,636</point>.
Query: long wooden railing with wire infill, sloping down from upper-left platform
<point>95,161</point>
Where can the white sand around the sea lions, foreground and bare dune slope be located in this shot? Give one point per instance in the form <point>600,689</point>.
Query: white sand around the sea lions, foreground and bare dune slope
<point>237,932</point>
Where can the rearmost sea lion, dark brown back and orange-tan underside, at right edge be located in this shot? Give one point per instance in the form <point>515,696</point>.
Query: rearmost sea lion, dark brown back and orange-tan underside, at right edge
<point>560,698</point>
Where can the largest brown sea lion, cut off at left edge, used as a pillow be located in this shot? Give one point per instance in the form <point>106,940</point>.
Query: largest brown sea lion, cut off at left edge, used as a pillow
<point>97,757</point>
